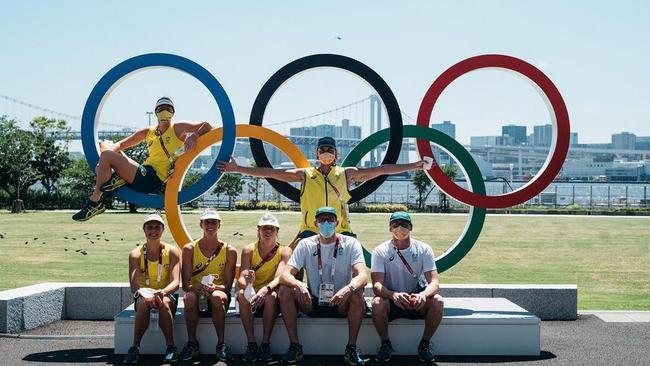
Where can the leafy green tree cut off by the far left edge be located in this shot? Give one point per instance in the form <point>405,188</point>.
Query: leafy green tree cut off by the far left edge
<point>17,160</point>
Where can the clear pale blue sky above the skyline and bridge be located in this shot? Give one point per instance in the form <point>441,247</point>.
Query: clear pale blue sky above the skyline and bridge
<point>596,53</point>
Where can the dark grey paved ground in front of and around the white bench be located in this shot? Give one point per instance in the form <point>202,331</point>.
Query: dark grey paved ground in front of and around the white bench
<point>586,341</point>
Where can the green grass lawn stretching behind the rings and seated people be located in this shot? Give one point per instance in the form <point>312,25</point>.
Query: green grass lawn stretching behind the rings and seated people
<point>607,257</point>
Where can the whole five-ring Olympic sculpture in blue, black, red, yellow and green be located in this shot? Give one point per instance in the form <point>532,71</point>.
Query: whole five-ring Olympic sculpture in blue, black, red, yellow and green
<point>475,197</point>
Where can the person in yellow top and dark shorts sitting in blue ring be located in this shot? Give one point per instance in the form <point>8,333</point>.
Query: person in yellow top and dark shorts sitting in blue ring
<point>165,142</point>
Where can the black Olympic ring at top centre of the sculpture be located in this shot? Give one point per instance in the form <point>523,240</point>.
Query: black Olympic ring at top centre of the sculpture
<point>337,61</point>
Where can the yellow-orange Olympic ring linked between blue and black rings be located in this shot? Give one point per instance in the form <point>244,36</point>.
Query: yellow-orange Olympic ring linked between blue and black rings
<point>173,209</point>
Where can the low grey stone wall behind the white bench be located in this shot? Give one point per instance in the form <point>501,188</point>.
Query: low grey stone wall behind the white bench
<point>32,306</point>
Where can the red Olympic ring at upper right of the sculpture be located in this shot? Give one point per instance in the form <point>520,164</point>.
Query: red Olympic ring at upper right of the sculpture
<point>559,117</point>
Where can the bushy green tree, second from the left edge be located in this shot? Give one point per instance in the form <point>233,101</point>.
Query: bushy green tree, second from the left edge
<point>50,159</point>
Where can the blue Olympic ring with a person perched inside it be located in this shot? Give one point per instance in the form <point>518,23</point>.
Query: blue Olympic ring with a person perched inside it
<point>92,109</point>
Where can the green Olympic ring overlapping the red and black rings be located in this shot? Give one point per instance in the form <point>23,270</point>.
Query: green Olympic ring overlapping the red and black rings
<point>467,164</point>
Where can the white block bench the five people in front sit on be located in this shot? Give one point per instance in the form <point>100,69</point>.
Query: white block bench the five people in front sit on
<point>470,326</point>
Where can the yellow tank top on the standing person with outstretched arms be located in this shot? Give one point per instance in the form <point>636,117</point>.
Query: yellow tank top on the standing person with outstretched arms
<point>316,193</point>
